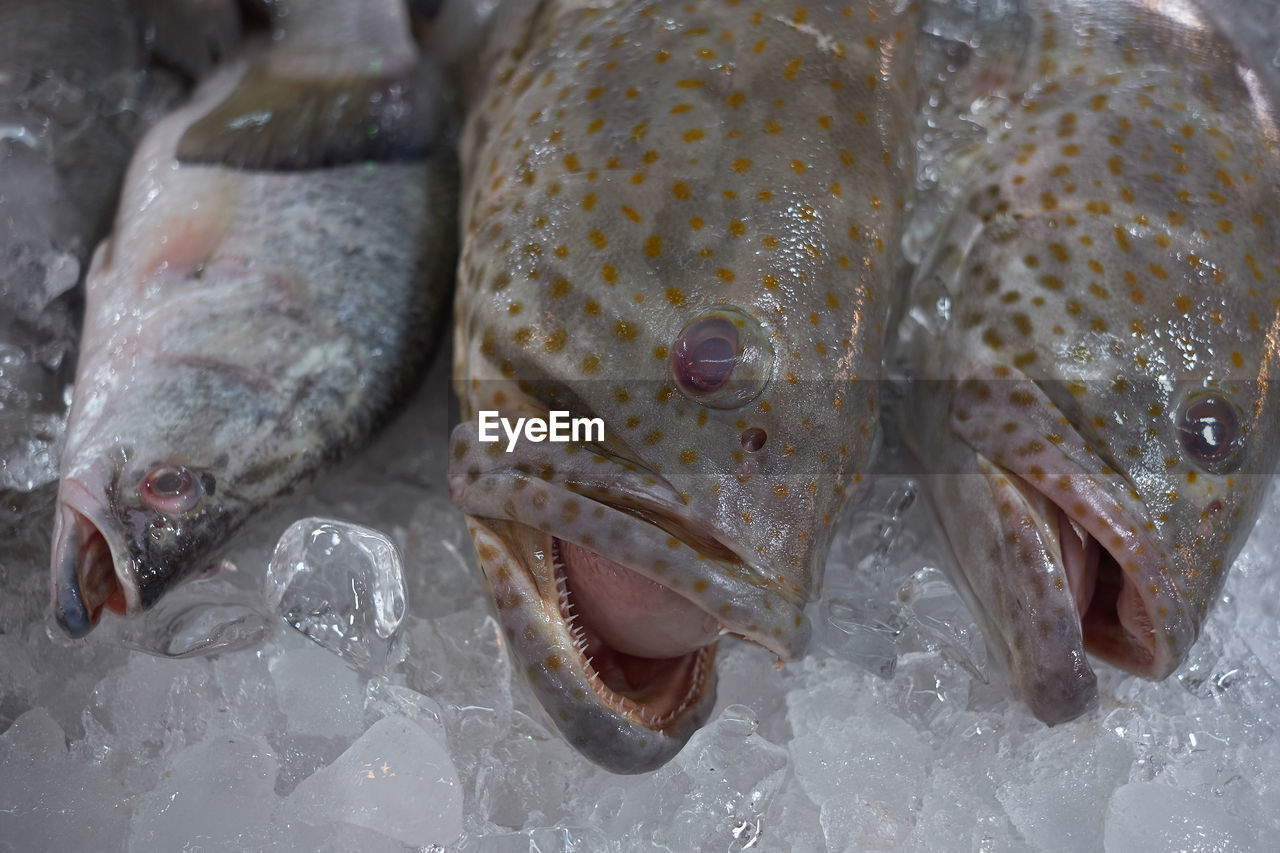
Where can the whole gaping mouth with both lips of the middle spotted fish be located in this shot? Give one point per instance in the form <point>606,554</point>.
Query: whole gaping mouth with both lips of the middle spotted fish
<point>612,601</point>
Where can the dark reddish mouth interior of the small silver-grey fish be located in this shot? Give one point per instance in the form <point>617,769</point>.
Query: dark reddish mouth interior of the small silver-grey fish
<point>89,585</point>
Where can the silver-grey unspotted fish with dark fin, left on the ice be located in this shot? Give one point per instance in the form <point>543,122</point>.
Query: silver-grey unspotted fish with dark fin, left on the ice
<point>282,258</point>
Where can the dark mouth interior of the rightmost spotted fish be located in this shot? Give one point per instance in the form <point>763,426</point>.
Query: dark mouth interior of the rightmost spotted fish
<point>1116,617</point>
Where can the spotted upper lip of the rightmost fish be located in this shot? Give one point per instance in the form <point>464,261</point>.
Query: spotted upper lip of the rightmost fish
<point>1112,519</point>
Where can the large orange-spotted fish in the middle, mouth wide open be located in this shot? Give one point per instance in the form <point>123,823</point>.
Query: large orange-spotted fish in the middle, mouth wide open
<point>680,218</point>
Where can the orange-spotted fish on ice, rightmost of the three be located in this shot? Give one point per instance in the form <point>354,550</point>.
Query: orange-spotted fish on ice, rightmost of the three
<point>1092,345</point>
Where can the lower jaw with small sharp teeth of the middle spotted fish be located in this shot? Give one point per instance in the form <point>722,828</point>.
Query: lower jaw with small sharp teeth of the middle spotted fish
<point>627,714</point>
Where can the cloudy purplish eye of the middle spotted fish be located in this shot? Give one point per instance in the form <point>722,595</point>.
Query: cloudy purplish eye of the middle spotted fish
<point>723,359</point>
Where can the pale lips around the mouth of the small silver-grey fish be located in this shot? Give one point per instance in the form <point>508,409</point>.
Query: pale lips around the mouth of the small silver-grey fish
<point>79,519</point>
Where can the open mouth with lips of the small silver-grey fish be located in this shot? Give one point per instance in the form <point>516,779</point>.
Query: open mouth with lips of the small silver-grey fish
<point>88,577</point>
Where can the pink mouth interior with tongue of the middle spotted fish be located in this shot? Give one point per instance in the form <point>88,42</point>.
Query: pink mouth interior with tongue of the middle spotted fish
<point>643,681</point>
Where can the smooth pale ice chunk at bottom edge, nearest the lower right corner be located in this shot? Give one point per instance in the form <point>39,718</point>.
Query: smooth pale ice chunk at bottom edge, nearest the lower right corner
<point>1150,818</point>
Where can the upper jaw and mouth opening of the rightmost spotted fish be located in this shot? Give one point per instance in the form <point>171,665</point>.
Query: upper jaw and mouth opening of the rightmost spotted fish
<point>1131,612</point>
